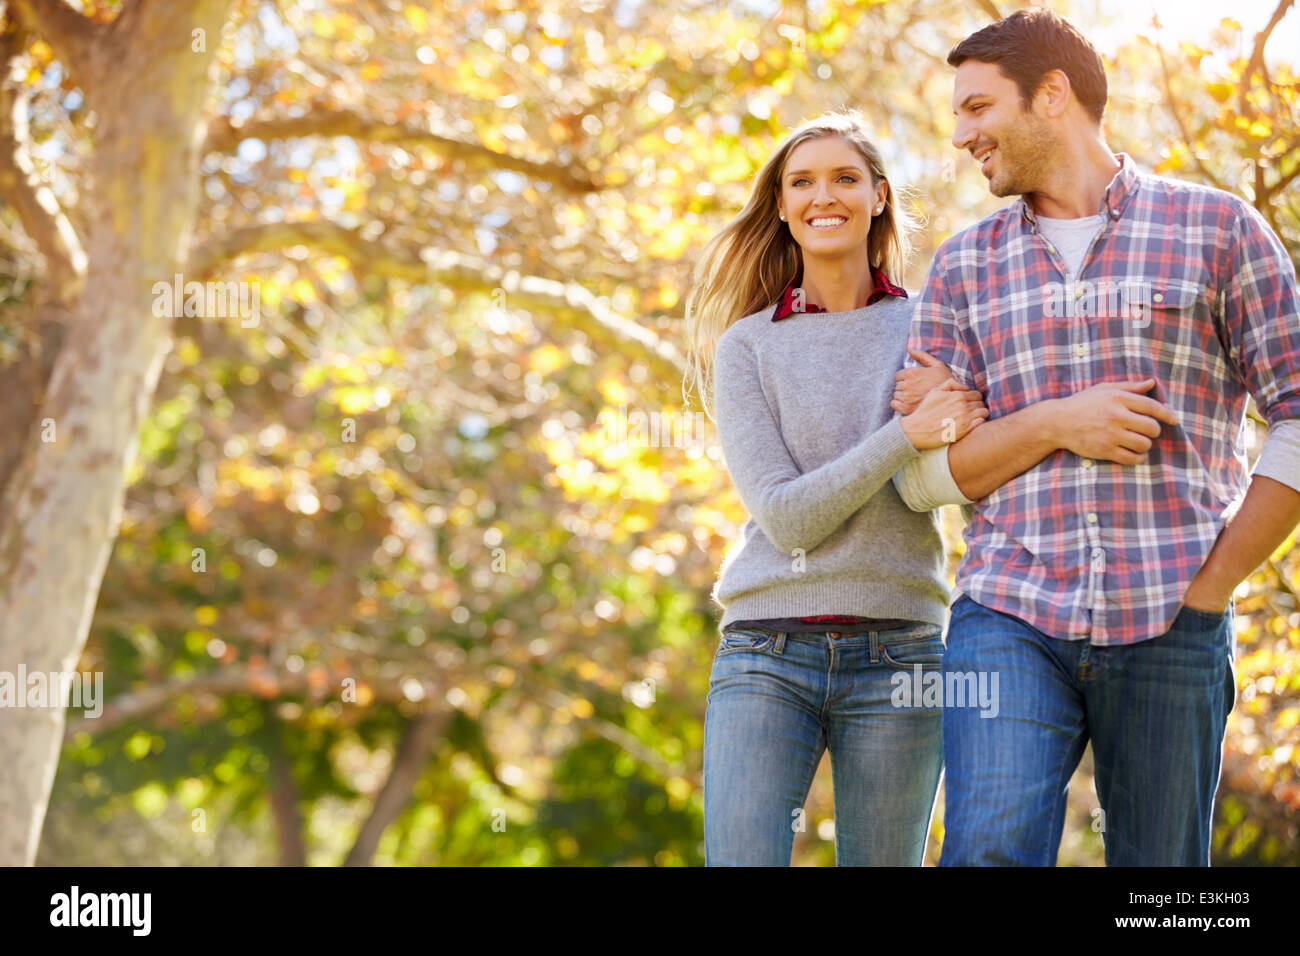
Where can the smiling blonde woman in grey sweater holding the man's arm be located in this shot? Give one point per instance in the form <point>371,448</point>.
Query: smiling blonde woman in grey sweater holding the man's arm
<point>837,591</point>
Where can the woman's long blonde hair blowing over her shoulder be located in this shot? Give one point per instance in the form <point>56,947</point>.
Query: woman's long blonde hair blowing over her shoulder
<point>752,261</point>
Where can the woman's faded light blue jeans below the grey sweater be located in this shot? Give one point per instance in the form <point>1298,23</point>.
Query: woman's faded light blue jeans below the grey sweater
<point>777,702</point>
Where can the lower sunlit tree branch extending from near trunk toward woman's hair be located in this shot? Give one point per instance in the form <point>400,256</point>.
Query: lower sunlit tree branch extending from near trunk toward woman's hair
<point>593,315</point>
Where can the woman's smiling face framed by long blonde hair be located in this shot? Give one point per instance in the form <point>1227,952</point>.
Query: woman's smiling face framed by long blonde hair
<point>827,181</point>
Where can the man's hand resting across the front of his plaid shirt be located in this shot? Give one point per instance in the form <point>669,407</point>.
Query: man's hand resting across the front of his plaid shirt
<point>1111,422</point>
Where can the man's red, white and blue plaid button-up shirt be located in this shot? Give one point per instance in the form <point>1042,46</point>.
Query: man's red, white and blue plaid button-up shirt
<point>1184,284</point>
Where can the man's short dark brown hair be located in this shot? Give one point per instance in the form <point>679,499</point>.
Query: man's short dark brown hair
<point>1028,45</point>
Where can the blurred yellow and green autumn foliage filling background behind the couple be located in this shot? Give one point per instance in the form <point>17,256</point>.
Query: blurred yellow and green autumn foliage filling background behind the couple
<point>385,590</point>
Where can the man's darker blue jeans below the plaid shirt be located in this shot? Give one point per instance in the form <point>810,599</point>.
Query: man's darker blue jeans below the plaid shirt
<point>1155,712</point>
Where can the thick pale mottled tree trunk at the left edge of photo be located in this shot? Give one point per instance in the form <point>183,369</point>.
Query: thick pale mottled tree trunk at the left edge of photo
<point>148,85</point>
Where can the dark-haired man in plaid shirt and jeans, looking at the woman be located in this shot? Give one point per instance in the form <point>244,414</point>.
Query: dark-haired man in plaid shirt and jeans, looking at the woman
<point>1108,537</point>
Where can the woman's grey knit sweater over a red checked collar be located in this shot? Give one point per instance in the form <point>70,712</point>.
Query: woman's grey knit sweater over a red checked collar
<point>811,442</point>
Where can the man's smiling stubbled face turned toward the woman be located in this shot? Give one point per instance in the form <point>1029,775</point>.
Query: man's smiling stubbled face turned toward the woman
<point>1013,145</point>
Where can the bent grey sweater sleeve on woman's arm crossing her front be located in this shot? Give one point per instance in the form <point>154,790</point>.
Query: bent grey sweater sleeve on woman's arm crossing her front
<point>794,511</point>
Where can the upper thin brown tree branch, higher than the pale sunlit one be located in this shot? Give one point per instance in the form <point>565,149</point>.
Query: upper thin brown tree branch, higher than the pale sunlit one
<point>224,136</point>
